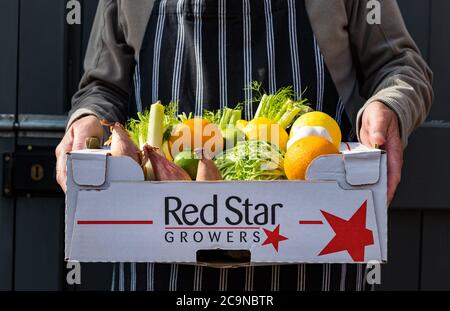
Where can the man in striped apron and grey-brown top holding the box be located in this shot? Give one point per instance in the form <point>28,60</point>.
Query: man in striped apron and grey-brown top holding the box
<point>203,54</point>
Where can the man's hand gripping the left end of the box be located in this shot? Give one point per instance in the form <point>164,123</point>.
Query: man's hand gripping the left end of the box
<point>75,139</point>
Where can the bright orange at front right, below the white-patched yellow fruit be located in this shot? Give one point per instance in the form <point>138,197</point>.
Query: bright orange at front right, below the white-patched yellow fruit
<point>300,155</point>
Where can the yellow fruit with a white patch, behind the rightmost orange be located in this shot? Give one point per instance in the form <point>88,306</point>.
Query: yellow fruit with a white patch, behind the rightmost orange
<point>316,123</point>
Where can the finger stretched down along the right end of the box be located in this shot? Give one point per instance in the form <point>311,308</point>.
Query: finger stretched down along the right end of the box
<point>394,151</point>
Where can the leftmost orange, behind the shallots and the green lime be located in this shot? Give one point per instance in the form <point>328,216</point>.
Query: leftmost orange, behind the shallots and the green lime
<point>193,134</point>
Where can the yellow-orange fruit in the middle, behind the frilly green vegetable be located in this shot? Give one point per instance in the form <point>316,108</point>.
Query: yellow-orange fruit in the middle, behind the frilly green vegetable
<point>266,130</point>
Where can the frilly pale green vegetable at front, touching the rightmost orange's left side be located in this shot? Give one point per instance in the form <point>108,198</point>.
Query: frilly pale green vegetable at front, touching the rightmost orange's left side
<point>251,160</point>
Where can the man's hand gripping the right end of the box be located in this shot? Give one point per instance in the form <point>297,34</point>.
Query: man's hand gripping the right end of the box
<point>380,127</point>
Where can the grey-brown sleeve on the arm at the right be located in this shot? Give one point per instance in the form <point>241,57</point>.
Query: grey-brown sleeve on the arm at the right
<point>391,68</point>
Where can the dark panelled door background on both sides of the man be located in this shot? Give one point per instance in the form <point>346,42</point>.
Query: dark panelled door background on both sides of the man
<point>40,65</point>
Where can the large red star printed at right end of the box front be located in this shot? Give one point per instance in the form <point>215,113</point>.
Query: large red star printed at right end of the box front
<point>351,235</point>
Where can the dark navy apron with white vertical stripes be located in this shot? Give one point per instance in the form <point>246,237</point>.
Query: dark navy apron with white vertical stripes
<point>203,54</point>
